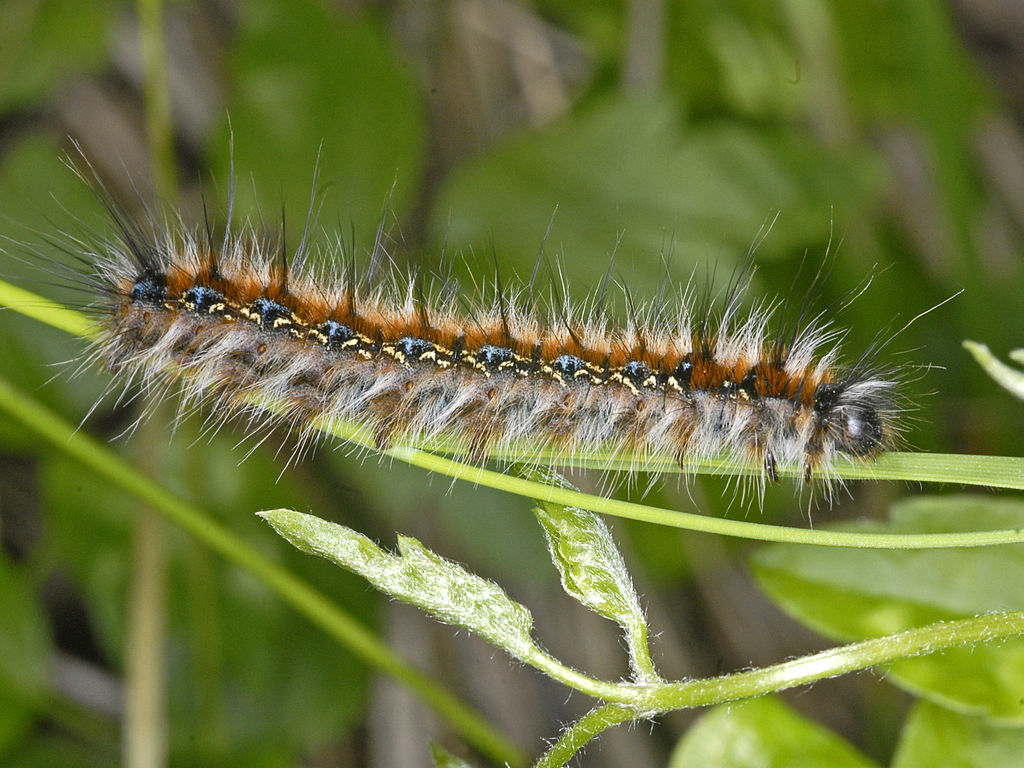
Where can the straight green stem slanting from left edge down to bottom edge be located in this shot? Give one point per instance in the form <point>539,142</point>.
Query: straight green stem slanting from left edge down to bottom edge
<point>304,599</point>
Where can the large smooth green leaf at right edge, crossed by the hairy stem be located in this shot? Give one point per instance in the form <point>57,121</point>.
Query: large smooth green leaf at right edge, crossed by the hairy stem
<point>854,594</point>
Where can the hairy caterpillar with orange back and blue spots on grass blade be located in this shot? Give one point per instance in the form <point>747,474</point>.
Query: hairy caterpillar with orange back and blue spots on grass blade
<point>238,323</point>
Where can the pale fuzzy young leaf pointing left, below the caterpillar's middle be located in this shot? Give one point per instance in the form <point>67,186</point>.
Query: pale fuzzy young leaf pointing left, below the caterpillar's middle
<point>416,576</point>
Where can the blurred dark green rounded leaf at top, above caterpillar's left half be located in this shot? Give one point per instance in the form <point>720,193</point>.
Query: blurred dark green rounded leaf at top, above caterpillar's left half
<point>309,78</point>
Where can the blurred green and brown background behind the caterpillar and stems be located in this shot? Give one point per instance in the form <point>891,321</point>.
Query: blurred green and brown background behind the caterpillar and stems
<point>888,133</point>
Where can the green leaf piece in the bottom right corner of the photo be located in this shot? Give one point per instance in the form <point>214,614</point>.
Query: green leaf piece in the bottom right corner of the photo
<point>933,737</point>
